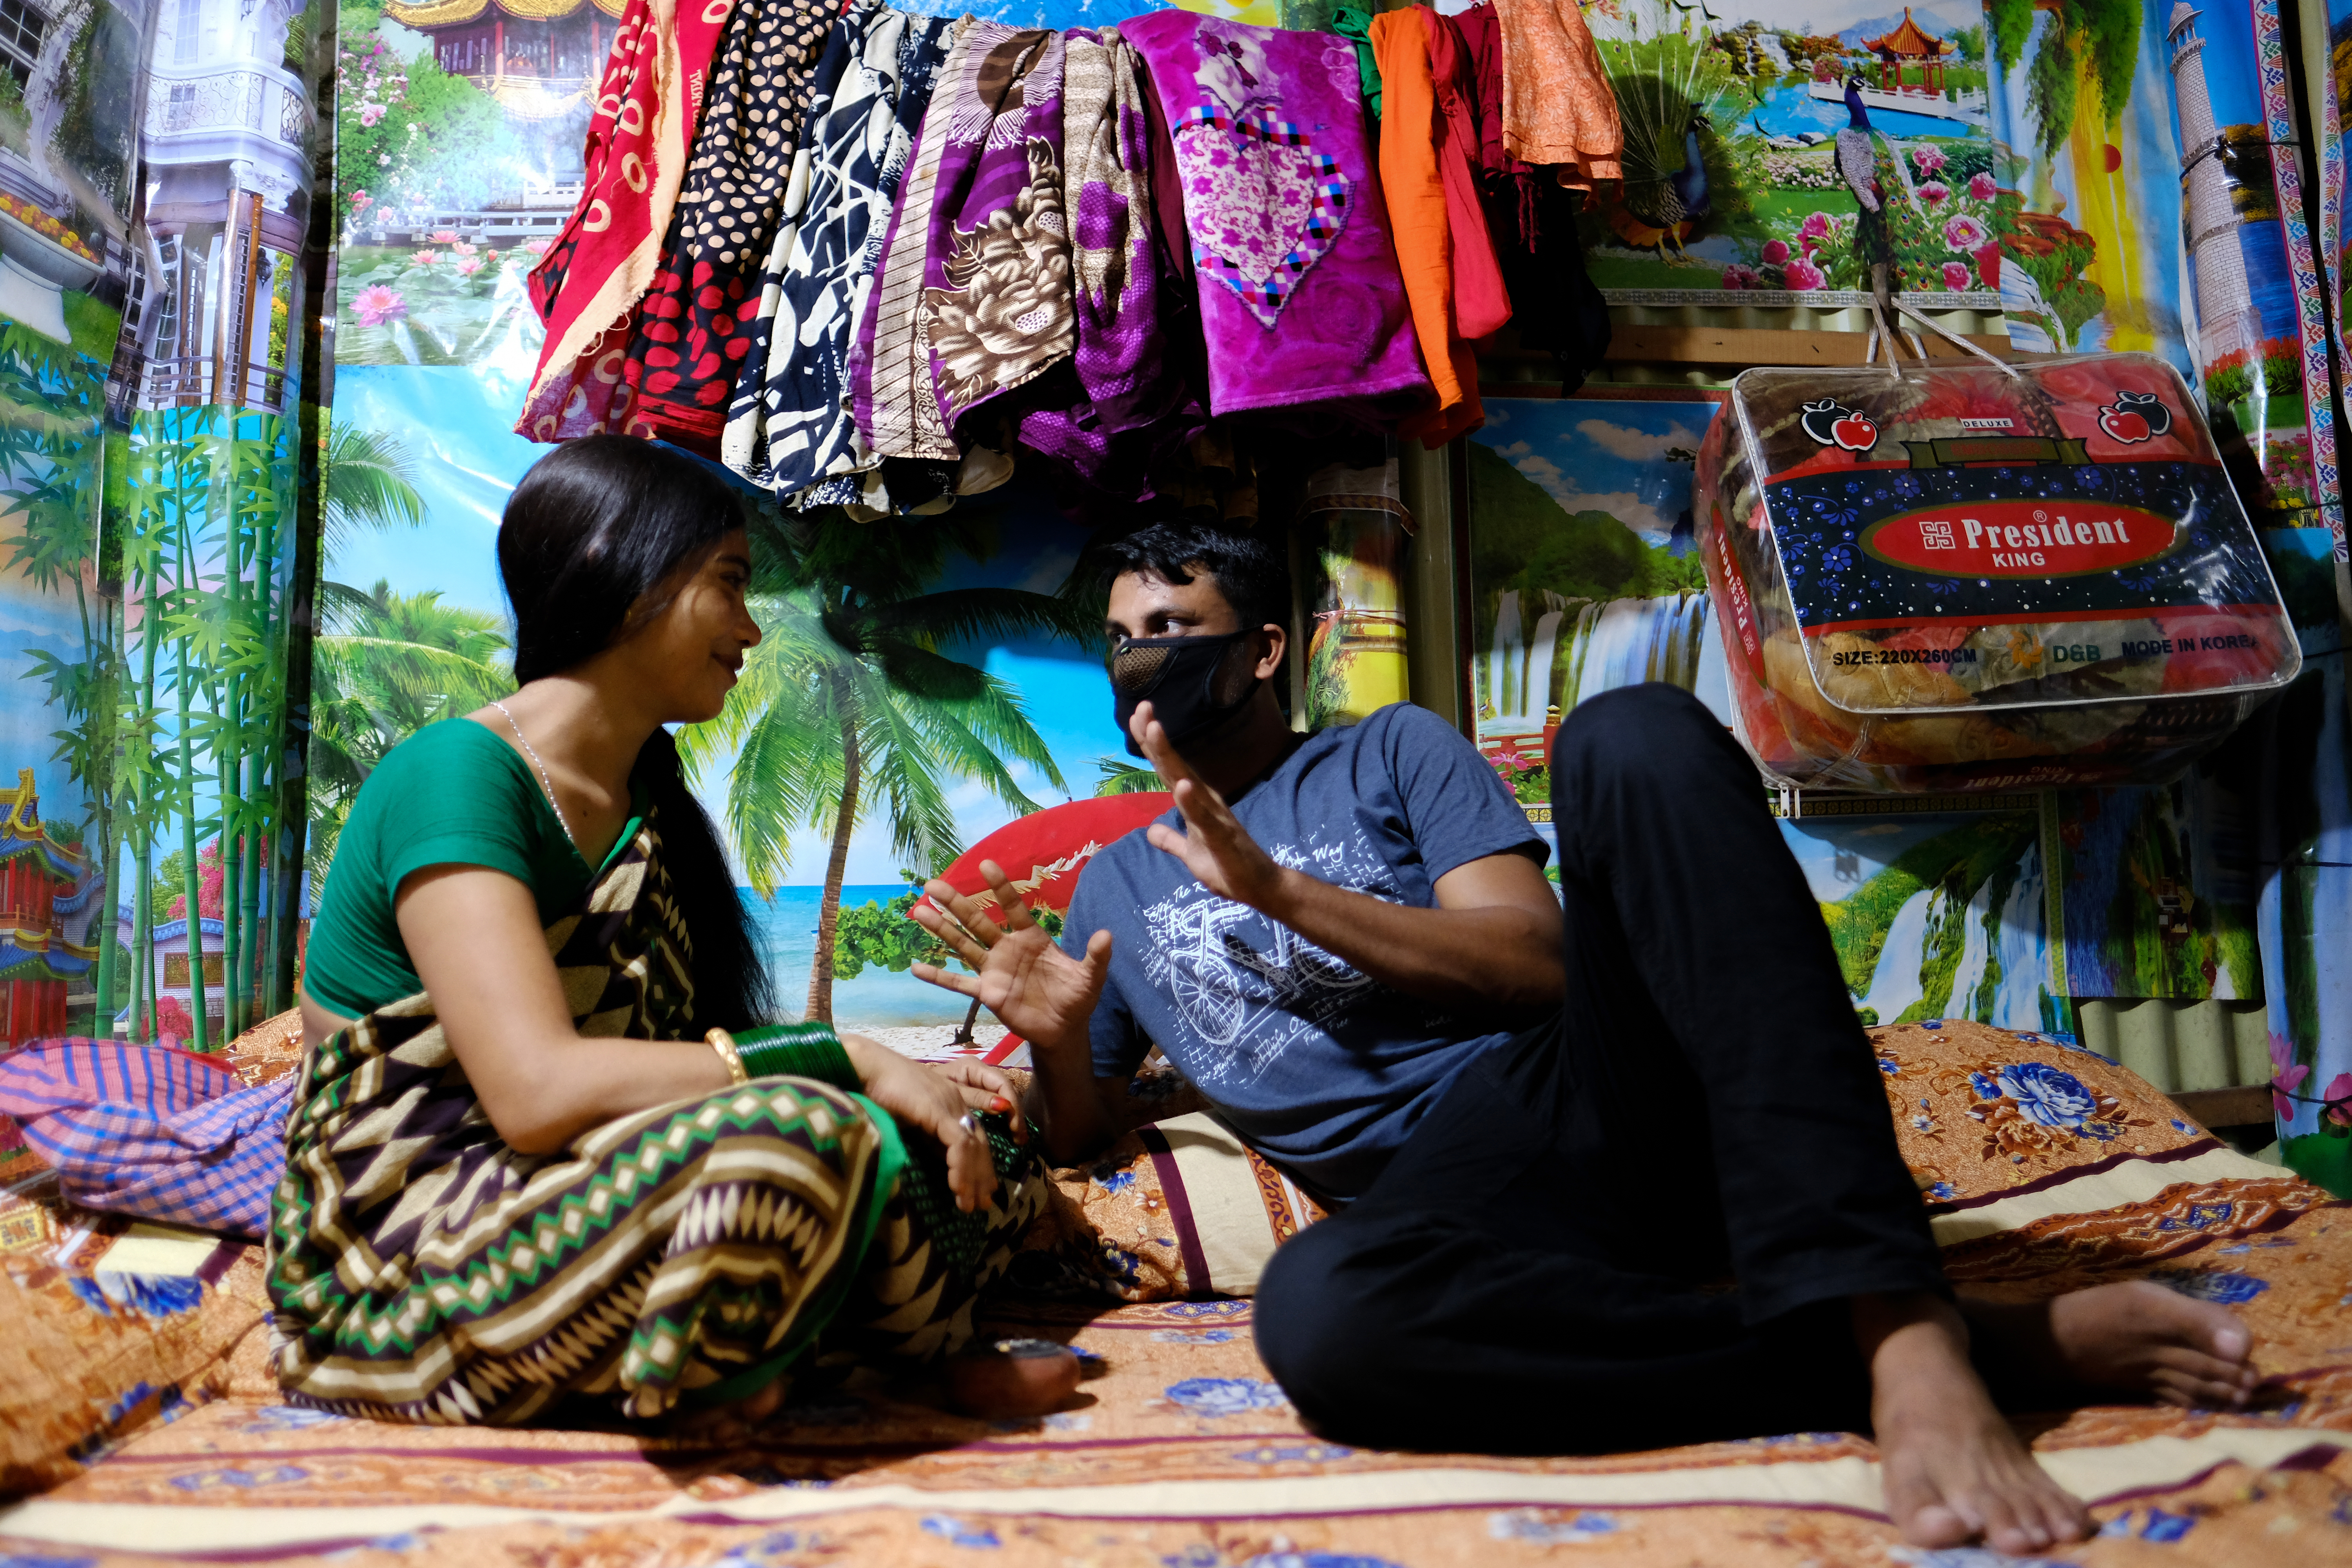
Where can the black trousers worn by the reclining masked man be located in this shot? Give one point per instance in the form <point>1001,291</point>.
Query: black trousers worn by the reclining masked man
<point>1641,1224</point>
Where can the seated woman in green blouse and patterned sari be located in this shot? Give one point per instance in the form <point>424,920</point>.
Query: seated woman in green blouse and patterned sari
<point>540,1146</point>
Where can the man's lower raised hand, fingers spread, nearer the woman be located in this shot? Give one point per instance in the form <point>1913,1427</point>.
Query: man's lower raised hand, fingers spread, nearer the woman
<point>1038,991</point>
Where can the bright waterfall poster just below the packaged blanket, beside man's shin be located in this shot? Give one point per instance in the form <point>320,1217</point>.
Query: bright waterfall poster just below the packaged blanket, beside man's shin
<point>1937,913</point>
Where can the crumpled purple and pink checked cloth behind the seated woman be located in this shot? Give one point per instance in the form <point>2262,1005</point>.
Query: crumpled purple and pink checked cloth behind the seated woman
<point>152,1132</point>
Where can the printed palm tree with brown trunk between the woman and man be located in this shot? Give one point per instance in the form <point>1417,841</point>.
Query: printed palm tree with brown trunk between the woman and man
<point>850,706</point>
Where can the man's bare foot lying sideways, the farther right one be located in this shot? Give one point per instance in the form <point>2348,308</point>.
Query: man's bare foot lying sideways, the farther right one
<point>2134,1336</point>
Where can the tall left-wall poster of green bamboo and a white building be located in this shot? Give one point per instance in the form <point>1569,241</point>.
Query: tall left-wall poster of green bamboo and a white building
<point>149,535</point>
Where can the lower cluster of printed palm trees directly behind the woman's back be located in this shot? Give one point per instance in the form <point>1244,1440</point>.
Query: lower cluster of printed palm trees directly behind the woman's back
<point>385,666</point>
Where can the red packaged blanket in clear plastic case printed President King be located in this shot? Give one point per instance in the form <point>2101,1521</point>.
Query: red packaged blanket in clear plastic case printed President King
<point>1979,577</point>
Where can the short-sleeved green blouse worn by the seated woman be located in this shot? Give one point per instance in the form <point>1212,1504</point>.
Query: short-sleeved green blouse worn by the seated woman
<point>448,796</point>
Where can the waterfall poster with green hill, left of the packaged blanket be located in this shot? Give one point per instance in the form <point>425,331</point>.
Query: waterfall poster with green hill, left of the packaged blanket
<point>1584,572</point>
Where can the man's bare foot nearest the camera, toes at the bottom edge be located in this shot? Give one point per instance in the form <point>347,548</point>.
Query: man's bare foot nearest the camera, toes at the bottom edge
<point>1953,1470</point>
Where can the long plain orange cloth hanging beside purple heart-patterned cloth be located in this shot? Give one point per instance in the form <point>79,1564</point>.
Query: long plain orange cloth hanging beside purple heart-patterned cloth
<point>1417,220</point>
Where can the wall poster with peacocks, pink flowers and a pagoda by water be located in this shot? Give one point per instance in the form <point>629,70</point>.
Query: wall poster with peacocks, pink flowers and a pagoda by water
<point>1782,159</point>
